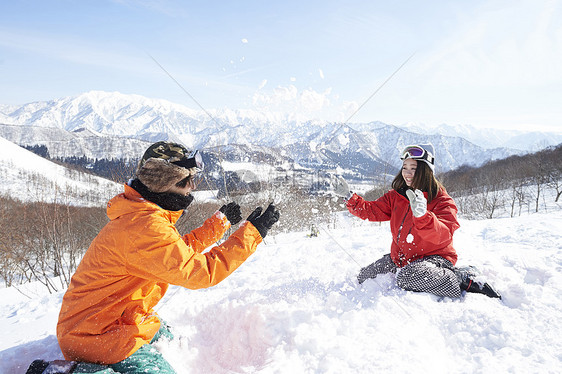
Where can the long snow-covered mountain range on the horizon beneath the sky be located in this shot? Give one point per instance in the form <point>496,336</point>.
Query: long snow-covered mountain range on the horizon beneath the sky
<point>105,125</point>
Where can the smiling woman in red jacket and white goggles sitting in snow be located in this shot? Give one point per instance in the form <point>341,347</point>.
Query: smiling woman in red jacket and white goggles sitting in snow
<point>423,218</point>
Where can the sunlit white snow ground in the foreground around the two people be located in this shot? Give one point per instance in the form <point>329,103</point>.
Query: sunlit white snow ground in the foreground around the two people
<point>295,307</point>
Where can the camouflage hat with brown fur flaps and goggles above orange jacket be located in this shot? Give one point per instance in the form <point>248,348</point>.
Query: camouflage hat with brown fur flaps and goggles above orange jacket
<point>158,170</point>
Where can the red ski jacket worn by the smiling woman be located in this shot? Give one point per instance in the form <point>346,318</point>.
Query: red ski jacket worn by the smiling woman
<point>412,237</point>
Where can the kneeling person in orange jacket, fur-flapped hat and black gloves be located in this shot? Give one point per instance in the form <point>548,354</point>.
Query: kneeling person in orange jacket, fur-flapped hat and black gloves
<point>107,315</point>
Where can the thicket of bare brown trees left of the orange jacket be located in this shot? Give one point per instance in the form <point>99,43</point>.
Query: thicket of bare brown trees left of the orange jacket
<point>43,241</point>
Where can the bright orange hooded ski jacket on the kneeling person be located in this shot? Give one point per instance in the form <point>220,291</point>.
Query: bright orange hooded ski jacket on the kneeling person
<point>107,312</point>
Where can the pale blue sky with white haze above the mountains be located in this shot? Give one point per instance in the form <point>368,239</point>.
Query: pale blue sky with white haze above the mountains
<point>494,63</point>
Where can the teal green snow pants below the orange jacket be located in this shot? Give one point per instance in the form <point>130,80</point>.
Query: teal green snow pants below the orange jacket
<point>146,360</point>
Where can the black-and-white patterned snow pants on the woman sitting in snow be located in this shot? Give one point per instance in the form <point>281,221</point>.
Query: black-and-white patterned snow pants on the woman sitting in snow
<point>432,274</point>
